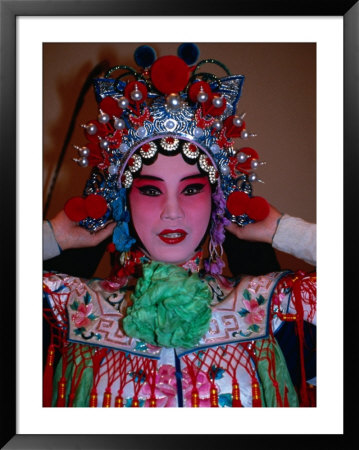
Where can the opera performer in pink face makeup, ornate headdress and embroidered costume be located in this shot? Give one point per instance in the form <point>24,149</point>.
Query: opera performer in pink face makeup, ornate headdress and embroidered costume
<point>167,329</point>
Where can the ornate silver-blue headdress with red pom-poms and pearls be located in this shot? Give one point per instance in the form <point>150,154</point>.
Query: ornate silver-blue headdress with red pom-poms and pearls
<point>168,106</point>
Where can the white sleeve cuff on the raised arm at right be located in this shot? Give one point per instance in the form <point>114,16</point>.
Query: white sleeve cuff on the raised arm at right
<point>296,237</point>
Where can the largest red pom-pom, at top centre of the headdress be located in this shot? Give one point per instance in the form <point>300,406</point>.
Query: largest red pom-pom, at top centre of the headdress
<point>170,74</point>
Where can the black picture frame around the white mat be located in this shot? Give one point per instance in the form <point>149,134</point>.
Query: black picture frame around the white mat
<point>9,11</point>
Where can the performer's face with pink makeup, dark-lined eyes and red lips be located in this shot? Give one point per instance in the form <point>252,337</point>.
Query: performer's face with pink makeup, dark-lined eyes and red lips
<point>170,205</point>
